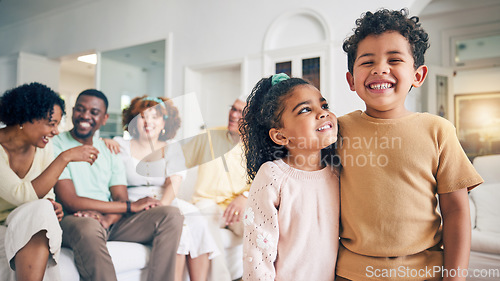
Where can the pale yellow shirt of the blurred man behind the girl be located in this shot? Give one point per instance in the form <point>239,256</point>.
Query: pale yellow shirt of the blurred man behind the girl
<point>214,181</point>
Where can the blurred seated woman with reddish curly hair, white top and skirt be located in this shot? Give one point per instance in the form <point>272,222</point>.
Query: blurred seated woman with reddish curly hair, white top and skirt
<point>155,167</point>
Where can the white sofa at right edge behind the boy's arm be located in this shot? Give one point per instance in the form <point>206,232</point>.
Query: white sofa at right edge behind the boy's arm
<point>484,202</point>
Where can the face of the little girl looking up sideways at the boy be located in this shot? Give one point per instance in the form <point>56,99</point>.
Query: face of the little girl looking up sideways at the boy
<point>307,123</point>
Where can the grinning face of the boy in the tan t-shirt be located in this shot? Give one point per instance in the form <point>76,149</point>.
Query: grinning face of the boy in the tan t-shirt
<point>383,73</point>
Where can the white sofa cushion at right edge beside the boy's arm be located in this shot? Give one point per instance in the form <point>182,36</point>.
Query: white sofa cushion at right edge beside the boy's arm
<point>487,200</point>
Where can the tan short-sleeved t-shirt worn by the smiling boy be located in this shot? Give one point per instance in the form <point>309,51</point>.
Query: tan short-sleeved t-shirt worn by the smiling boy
<point>392,171</point>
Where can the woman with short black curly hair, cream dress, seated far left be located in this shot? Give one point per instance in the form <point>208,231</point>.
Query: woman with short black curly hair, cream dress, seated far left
<point>29,226</point>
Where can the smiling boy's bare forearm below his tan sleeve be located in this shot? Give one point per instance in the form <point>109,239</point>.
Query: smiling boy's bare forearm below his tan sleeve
<point>456,232</point>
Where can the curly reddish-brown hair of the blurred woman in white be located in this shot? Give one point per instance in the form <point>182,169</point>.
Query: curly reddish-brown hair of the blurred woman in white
<point>163,106</point>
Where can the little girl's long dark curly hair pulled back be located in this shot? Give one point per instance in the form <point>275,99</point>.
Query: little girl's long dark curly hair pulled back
<point>263,111</point>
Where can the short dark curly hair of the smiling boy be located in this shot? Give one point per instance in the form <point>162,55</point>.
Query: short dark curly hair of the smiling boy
<point>387,20</point>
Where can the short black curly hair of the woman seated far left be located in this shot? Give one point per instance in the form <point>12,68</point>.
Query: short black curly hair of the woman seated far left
<point>27,103</point>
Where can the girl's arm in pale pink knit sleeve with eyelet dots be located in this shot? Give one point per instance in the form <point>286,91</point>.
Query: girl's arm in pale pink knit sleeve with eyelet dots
<point>260,219</point>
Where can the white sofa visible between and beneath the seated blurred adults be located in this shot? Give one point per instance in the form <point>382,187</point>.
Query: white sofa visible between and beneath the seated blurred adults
<point>131,259</point>
